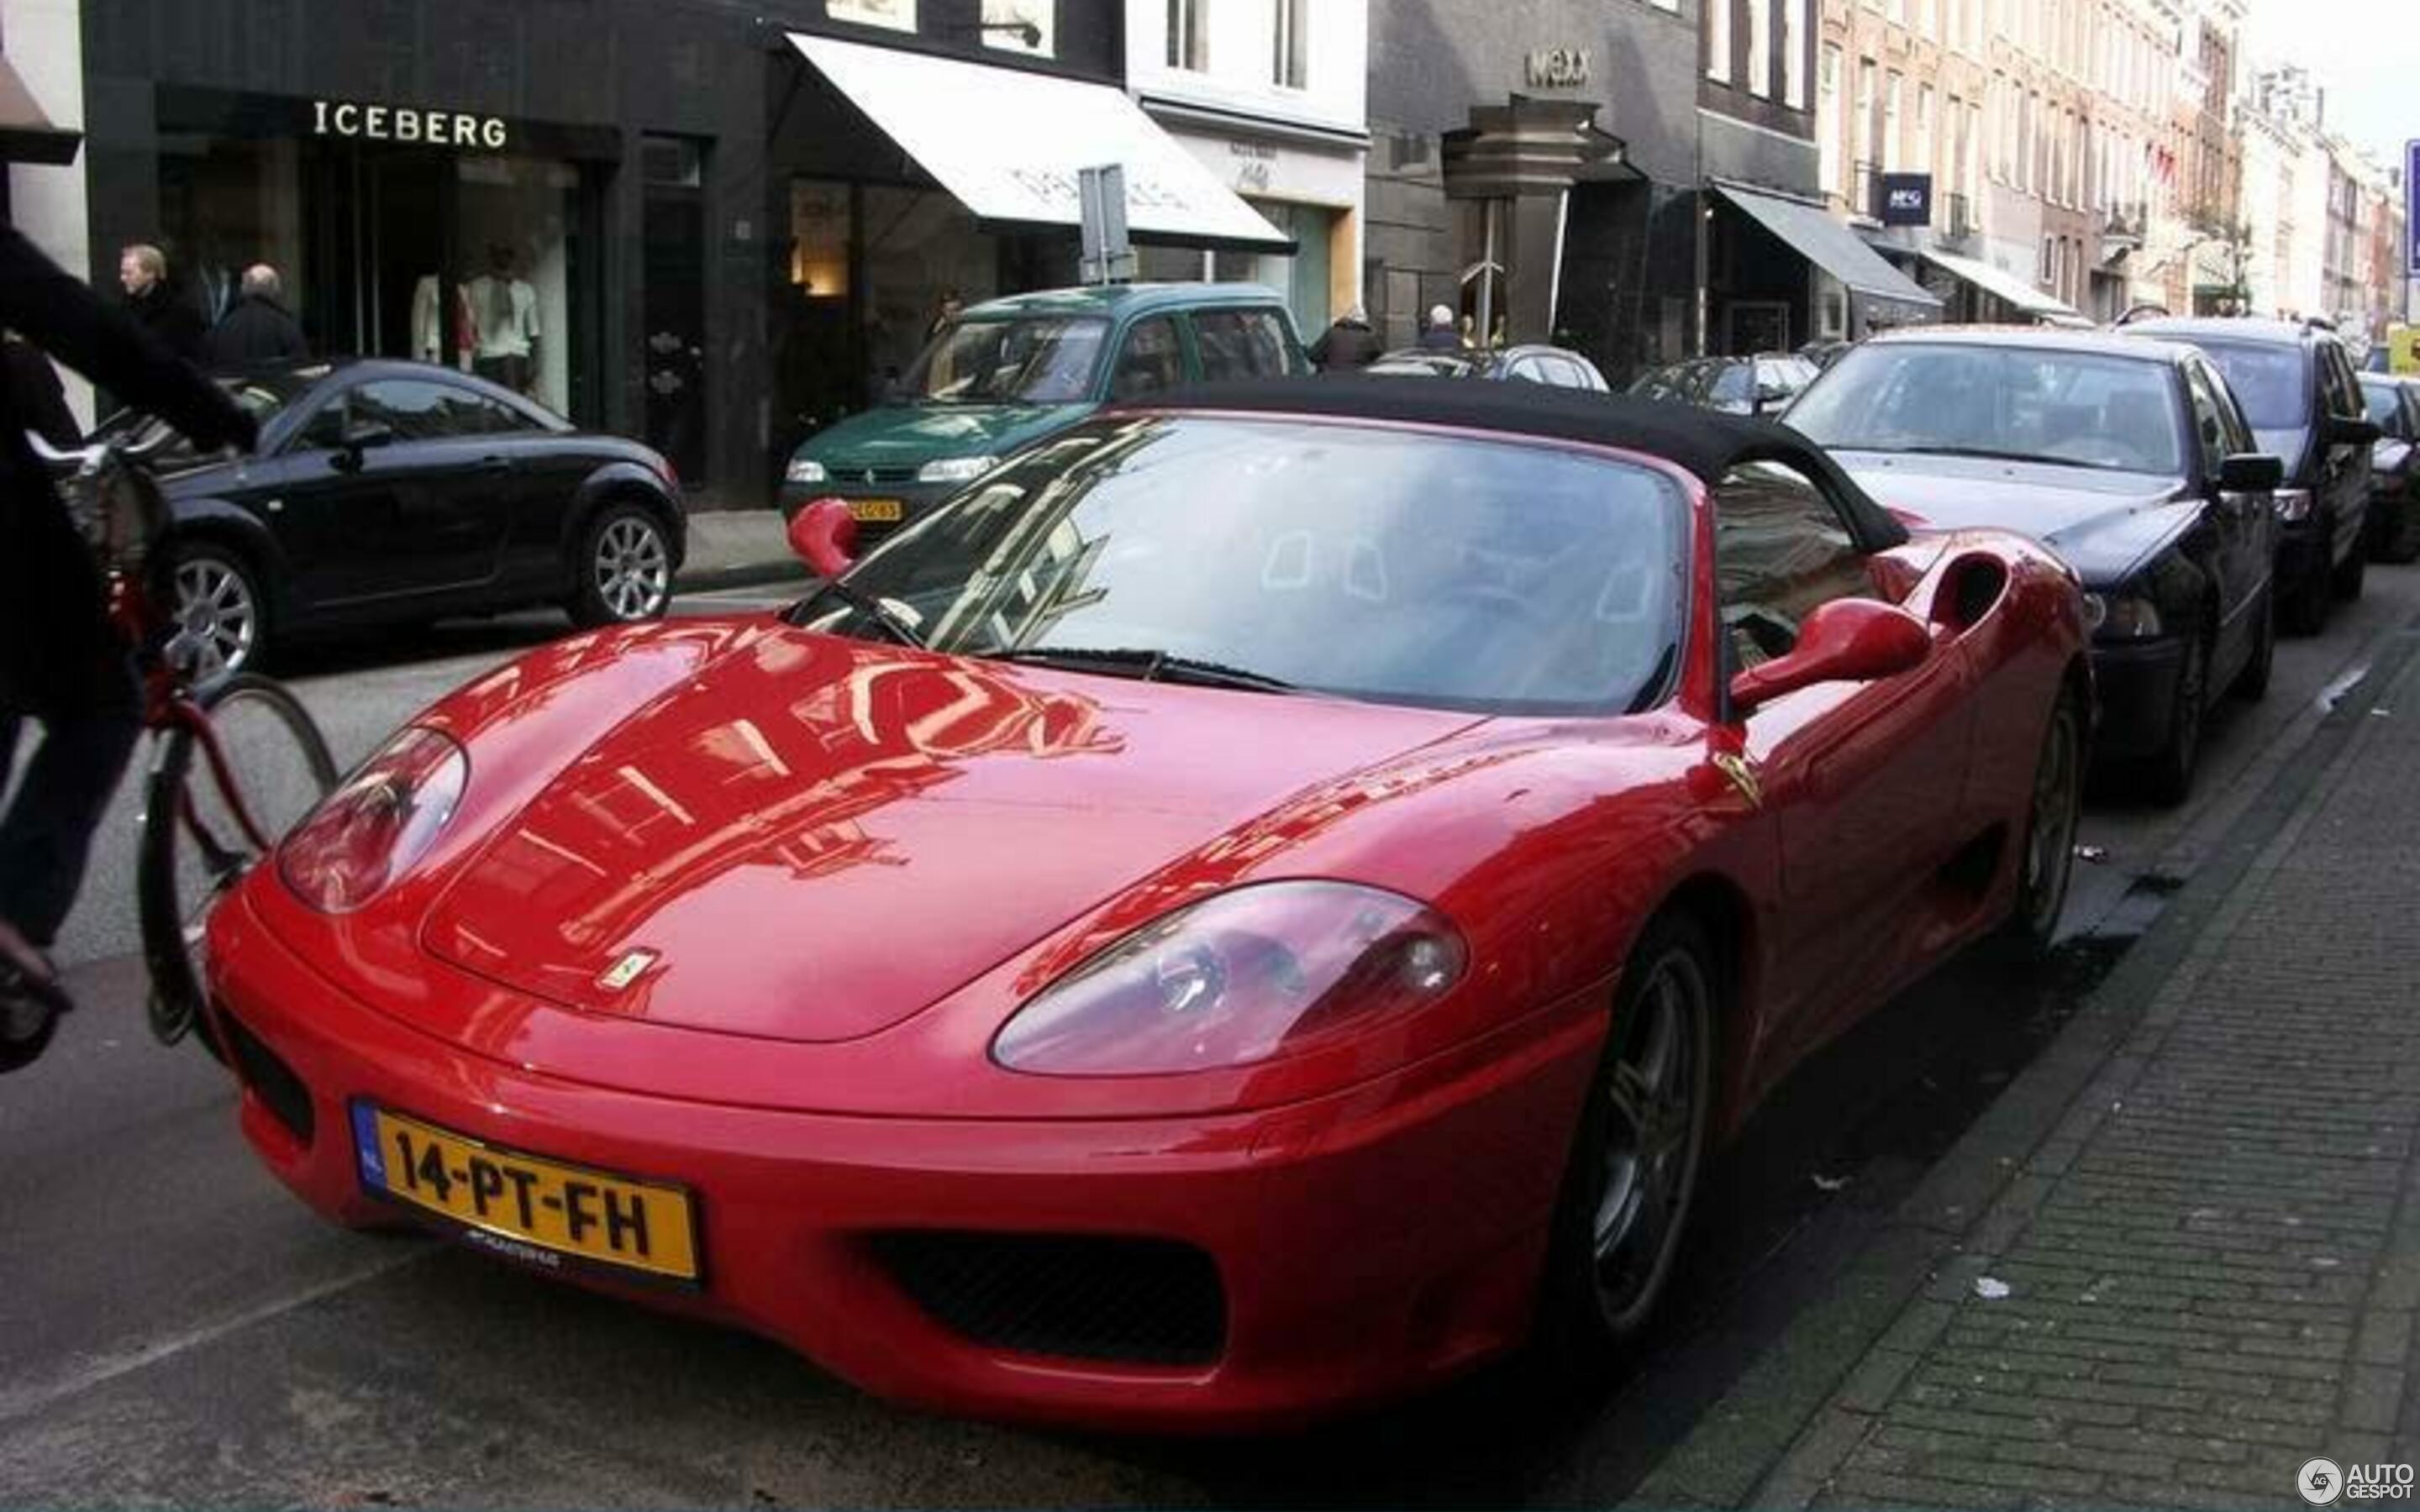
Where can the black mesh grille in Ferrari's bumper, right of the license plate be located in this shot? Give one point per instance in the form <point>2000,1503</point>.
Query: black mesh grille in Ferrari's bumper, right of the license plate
<point>1129,1300</point>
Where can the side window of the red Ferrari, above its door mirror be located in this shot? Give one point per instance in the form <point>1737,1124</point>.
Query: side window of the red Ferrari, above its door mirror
<point>1780,553</point>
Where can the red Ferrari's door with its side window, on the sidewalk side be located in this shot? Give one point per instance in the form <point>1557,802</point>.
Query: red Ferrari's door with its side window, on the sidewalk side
<point>1865,780</point>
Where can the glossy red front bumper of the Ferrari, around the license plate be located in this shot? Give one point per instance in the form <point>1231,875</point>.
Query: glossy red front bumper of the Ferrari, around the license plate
<point>1364,1245</point>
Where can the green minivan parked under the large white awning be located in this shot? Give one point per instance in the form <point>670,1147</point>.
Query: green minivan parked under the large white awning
<point>1015,371</point>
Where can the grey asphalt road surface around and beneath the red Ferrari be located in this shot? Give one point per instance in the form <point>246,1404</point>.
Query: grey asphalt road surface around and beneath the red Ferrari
<point>178,1329</point>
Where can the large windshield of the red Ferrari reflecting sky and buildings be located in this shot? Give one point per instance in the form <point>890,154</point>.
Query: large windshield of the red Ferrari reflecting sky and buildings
<point>1332,558</point>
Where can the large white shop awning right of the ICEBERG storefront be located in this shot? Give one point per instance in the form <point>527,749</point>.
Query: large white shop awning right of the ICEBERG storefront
<point>1010,146</point>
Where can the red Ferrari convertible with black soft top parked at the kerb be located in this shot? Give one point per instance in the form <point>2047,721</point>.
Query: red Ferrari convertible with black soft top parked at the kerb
<point>1255,906</point>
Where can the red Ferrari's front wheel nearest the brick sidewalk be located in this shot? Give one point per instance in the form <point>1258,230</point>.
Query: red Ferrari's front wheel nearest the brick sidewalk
<point>1637,1155</point>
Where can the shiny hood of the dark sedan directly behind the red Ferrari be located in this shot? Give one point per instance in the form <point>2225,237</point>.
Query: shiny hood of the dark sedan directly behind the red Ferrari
<point>2102,524</point>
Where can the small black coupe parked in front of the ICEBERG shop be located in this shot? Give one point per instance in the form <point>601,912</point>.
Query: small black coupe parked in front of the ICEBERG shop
<point>403,492</point>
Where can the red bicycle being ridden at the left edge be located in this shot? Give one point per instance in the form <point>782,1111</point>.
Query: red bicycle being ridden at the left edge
<point>260,746</point>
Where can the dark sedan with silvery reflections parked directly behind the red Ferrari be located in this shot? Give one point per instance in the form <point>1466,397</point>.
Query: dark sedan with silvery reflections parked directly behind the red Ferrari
<point>2128,458</point>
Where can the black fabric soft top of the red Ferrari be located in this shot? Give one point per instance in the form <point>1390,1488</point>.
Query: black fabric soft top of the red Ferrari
<point>1702,442</point>
